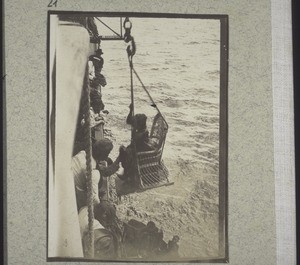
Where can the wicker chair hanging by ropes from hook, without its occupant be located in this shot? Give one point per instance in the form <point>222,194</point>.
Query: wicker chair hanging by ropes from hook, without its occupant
<point>150,171</point>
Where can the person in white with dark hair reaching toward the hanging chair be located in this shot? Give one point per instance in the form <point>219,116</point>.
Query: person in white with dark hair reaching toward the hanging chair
<point>100,152</point>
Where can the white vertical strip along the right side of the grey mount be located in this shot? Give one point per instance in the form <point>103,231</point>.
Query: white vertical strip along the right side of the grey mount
<point>283,113</point>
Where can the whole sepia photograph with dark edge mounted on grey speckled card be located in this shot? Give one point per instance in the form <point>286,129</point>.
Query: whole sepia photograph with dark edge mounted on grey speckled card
<point>137,137</point>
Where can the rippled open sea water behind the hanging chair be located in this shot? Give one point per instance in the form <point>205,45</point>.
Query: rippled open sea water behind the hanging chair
<point>178,61</point>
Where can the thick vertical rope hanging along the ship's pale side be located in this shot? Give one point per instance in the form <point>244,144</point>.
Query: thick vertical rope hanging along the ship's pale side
<point>88,151</point>
